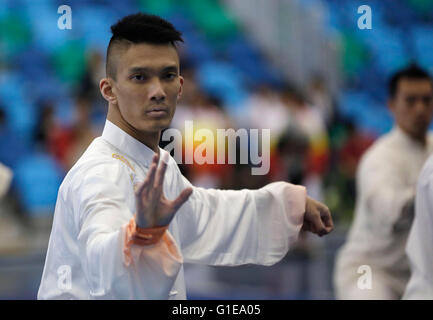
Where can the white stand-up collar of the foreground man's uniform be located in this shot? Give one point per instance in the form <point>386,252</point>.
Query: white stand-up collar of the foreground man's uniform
<point>127,144</point>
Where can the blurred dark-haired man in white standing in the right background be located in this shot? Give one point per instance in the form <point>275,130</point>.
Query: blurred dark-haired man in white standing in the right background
<point>372,264</point>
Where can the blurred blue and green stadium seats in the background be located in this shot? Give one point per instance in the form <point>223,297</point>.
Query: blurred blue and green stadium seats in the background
<point>47,63</point>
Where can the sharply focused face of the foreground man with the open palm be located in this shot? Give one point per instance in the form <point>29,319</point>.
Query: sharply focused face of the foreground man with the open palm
<point>148,85</point>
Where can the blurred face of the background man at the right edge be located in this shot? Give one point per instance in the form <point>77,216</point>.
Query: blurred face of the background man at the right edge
<point>413,106</point>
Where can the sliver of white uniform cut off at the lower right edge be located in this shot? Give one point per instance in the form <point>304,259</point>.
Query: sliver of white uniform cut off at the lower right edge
<point>419,248</point>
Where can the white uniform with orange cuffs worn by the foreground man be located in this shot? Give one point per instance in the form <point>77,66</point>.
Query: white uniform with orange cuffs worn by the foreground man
<point>87,255</point>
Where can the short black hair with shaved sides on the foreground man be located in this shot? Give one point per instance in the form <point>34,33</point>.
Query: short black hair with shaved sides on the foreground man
<point>140,28</point>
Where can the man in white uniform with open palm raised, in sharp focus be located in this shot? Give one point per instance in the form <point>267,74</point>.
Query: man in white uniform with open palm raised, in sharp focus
<point>126,219</point>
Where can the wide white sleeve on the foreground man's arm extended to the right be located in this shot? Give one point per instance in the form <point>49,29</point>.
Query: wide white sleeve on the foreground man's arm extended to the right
<point>228,227</point>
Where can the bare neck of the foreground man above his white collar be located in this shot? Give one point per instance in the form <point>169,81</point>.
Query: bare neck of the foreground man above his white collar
<point>149,139</point>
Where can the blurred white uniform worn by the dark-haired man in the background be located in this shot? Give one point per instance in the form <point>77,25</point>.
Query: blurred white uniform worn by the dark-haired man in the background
<point>386,182</point>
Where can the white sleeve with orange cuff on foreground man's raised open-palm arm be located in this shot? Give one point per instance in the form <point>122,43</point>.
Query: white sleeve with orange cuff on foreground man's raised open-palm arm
<point>114,267</point>
